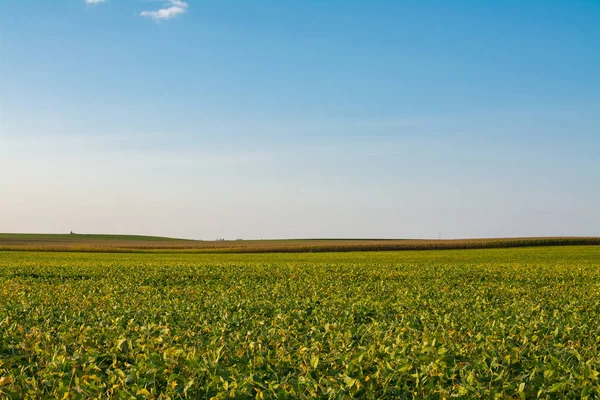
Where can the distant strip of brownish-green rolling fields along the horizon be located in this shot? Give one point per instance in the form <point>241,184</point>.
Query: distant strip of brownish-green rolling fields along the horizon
<point>129,243</point>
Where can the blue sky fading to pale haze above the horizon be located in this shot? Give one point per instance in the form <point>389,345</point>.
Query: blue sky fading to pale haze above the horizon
<point>289,119</point>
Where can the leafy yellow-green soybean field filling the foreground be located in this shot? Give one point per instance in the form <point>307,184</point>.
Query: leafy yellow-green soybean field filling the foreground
<point>493,323</point>
